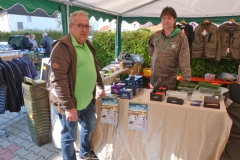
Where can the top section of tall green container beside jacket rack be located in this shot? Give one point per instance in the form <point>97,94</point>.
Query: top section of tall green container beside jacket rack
<point>34,89</point>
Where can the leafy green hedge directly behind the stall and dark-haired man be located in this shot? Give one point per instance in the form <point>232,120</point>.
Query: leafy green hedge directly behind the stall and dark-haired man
<point>135,42</point>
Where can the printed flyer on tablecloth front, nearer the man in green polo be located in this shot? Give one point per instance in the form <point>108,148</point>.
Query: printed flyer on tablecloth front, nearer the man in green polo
<point>109,112</point>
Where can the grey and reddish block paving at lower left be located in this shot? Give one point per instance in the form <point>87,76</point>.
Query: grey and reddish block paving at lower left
<point>18,144</point>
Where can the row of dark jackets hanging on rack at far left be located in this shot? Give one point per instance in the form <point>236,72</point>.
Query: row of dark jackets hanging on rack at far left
<point>12,74</point>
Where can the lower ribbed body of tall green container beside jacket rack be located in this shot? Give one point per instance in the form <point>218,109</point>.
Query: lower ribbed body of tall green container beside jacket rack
<point>39,120</point>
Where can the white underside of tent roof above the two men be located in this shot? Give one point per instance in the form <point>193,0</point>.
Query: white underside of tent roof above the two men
<point>152,8</point>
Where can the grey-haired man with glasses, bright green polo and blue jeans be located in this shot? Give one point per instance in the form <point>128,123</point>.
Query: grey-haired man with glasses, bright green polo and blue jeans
<point>74,76</point>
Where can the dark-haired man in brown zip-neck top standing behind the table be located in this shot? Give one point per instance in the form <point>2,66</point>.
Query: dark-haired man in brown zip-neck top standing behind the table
<point>169,50</point>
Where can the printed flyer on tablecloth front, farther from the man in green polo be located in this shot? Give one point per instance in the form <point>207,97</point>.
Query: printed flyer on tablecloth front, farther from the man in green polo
<point>137,116</point>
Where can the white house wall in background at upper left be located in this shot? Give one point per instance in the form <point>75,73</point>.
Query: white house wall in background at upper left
<point>40,23</point>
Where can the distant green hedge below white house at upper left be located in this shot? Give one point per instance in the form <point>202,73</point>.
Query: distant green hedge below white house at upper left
<point>4,36</point>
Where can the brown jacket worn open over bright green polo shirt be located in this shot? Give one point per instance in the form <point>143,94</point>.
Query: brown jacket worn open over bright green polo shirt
<point>63,76</point>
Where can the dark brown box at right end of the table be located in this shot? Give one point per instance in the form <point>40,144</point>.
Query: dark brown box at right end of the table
<point>212,102</point>
